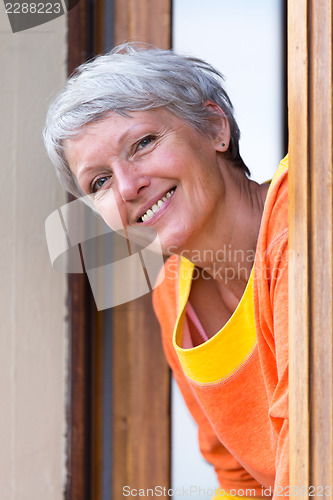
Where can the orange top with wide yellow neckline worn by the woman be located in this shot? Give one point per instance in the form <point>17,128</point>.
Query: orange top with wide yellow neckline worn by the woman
<point>236,383</point>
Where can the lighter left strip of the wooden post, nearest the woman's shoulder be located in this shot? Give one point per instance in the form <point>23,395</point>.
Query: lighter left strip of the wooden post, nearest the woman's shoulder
<point>298,241</point>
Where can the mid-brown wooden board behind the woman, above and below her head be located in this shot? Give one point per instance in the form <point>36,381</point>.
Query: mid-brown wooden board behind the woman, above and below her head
<point>141,419</point>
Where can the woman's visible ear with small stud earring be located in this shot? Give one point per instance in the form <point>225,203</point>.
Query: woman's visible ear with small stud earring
<point>219,126</point>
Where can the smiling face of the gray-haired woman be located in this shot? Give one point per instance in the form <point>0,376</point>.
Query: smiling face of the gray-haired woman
<point>154,170</point>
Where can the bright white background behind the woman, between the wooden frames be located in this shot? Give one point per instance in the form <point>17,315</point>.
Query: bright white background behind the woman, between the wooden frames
<point>243,39</point>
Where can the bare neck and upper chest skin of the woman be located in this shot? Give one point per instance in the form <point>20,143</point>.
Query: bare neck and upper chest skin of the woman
<point>226,251</point>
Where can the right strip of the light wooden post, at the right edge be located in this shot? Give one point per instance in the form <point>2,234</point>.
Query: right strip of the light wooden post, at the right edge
<point>320,76</point>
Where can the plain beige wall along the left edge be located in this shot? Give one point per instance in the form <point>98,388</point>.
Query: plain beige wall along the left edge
<point>33,327</point>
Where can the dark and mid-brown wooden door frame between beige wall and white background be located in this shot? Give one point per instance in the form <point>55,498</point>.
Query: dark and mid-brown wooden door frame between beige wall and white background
<point>141,378</point>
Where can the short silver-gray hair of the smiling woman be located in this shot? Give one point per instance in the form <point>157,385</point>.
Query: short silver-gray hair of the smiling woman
<point>130,78</point>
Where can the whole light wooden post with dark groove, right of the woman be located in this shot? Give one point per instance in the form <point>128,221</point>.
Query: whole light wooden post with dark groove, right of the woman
<point>311,265</point>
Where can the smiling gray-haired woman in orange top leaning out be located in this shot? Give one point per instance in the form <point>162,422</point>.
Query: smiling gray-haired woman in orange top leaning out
<point>153,132</point>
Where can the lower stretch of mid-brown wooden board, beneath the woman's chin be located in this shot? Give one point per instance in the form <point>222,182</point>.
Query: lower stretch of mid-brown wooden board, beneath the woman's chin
<point>141,400</point>
